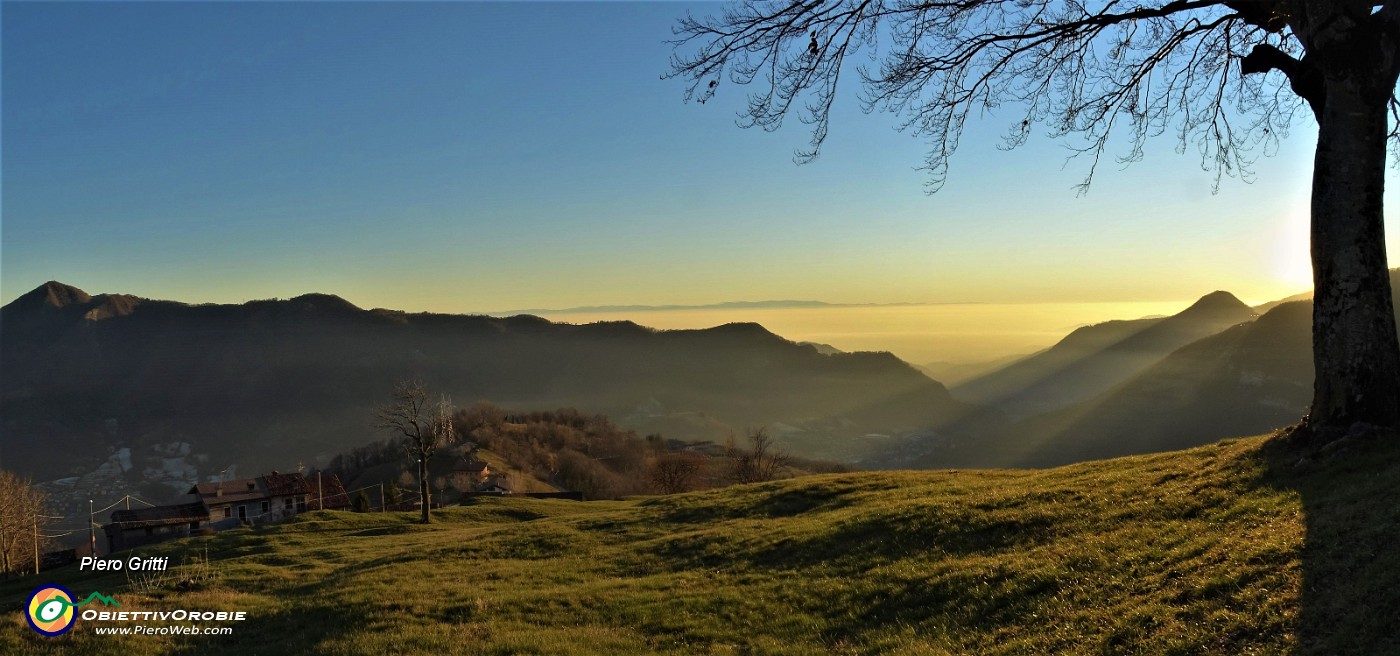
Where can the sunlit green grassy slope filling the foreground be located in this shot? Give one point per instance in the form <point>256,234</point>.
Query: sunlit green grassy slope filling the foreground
<point>1227,549</point>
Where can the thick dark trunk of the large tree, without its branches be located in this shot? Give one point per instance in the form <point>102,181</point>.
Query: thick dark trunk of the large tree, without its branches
<point>1356,352</point>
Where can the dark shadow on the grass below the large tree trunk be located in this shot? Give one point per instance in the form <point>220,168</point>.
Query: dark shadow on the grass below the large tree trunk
<point>1350,493</point>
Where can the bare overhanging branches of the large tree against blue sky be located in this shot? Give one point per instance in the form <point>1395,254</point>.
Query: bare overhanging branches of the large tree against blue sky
<point>1081,69</point>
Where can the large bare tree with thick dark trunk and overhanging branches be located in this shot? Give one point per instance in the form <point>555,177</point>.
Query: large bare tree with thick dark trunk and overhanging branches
<point>1226,78</point>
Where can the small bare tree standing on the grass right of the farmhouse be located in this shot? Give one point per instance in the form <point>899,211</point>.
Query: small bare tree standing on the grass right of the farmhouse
<point>421,427</point>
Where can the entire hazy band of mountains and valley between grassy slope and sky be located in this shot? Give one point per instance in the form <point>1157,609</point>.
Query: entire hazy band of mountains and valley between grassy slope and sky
<point>155,395</point>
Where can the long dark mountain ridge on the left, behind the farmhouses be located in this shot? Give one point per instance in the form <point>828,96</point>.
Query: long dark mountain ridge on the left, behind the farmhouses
<point>268,384</point>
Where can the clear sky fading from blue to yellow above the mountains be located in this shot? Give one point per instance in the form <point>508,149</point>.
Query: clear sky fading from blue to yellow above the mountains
<point>478,157</point>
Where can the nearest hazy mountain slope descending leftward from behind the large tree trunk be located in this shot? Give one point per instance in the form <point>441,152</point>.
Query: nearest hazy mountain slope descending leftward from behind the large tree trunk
<point>1247,380</point>
